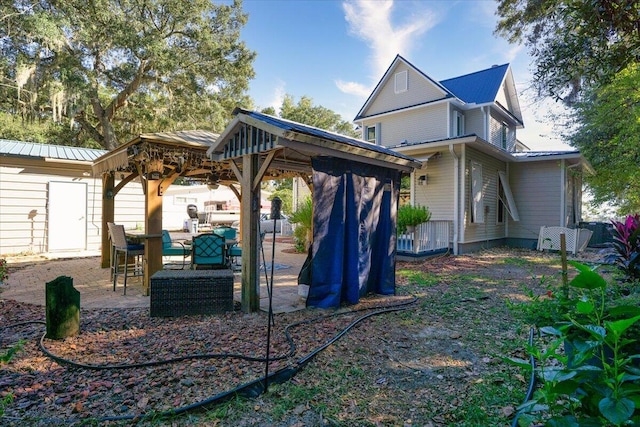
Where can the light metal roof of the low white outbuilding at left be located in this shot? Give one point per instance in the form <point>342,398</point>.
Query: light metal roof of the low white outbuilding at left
<point>47,151</point>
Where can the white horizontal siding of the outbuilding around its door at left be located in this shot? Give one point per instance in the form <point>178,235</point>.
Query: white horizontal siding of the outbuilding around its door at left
<point>23,205</point>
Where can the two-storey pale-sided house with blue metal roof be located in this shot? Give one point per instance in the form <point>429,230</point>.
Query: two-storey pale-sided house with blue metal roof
<point>476,175</point>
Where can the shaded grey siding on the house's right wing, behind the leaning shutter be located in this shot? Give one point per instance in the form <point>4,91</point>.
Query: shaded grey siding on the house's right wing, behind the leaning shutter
<point>536,189</point>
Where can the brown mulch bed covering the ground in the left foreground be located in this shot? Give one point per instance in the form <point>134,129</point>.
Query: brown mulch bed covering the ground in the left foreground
<point>46,392</point>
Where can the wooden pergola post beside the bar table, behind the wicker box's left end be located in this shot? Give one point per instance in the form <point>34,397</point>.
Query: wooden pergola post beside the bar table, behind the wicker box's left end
<point>152,226</point>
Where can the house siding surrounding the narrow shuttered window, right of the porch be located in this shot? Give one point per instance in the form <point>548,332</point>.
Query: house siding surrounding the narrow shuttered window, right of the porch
<point>489,229</point>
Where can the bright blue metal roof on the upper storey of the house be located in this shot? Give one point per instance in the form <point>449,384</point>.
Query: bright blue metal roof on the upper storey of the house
<point>480,87</point>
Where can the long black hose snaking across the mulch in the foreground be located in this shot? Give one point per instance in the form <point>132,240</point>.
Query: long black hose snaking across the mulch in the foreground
<point>250,389</point>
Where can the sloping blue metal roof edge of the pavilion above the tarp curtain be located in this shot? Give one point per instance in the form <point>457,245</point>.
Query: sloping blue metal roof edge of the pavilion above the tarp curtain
<point>288,125</point>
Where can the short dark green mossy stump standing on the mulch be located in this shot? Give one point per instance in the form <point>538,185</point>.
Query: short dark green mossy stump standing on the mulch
<point>62,308</point>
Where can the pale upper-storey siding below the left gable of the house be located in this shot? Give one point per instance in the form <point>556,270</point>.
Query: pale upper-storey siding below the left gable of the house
<point>419,125</point>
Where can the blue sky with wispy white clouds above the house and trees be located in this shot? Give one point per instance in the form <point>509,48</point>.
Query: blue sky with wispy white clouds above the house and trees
<point>336,51</point>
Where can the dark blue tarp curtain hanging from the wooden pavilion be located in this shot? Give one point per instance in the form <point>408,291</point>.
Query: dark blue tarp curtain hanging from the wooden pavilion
<point>354,239</point>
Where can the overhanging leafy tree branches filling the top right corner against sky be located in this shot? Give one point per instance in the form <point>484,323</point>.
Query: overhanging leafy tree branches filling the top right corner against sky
<point>574,44</point>
